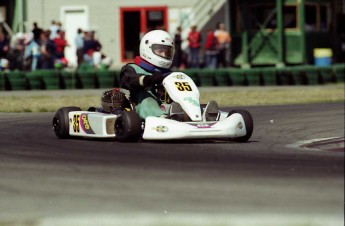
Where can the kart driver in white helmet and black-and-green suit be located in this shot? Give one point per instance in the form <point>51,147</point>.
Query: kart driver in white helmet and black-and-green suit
<point>156,55</point>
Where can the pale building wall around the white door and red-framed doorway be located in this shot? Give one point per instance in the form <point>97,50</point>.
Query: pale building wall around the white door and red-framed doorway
<point>103,17</point>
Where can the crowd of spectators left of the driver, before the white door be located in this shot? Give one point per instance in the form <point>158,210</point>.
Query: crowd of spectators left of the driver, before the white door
<point>45,48</point>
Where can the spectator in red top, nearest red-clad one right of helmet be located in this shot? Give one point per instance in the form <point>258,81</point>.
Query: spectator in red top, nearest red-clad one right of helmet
<point>194,39</point>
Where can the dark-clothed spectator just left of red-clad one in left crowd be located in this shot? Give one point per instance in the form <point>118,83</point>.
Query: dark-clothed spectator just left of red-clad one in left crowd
<point>48,50</point>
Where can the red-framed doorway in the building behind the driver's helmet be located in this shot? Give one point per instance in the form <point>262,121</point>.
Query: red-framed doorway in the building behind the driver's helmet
<point>134,23</point>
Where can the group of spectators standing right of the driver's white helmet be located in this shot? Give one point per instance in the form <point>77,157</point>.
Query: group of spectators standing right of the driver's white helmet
<point>211,53</point>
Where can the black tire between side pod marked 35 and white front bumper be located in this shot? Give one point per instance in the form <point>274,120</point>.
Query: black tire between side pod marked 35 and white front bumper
<point>128,127</point>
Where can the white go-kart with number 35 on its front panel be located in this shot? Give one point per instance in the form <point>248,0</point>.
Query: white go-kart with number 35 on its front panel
<point>125,125</point>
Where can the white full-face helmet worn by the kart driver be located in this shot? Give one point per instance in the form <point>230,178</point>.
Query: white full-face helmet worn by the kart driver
<point>157,48</point>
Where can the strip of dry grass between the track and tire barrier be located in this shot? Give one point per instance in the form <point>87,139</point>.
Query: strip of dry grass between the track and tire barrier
<point>225,96</point>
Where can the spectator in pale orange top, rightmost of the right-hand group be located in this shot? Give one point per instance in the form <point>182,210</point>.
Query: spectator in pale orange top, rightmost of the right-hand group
<point>224,40</point>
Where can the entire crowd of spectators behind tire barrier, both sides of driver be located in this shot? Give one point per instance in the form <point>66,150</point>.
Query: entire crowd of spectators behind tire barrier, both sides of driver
<point>45,49</point>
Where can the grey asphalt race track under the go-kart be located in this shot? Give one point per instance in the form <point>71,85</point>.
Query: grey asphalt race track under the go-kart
<point>267,181</point>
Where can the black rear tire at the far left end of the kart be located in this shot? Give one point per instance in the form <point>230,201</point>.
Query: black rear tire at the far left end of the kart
<point>61,121</point>
